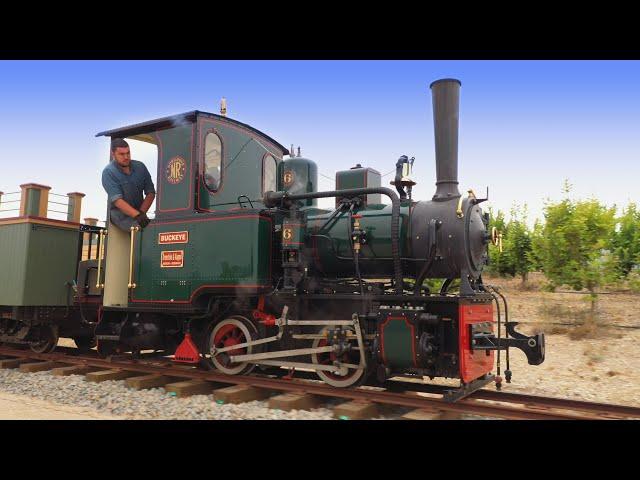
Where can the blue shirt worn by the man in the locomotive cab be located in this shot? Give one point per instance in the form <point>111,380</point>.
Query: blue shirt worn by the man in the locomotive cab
<point>128,187</point>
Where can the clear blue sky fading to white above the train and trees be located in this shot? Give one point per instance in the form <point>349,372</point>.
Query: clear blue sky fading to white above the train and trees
<point>525,126</point>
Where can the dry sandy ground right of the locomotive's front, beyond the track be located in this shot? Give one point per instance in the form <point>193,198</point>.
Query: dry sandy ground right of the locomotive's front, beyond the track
<point>597,363</point>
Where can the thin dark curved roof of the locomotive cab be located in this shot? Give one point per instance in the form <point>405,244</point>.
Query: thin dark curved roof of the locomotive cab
<point>181,118</point>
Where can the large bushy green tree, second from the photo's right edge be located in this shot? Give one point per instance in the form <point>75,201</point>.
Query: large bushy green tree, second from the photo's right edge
<point>572,246</point>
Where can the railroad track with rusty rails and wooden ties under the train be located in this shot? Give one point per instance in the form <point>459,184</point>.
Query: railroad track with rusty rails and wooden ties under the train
<point>153,371</point>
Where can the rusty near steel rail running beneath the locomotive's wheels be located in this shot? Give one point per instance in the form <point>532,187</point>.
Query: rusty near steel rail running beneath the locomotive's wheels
<point>532,408</point>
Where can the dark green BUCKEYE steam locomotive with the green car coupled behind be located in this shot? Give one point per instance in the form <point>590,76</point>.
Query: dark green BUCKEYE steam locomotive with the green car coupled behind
<point>240,268</point>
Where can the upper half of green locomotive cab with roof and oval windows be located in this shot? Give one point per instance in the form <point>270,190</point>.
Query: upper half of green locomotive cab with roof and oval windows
<point>207,162</point>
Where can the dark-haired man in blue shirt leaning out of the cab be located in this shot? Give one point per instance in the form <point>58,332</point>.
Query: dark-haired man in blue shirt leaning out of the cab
<point>125,180</point>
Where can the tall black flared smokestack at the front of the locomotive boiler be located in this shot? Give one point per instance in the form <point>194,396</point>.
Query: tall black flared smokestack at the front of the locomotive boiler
<point>446,105</point>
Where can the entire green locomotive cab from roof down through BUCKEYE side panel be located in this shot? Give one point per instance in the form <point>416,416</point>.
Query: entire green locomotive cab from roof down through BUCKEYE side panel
<point>210,178</point>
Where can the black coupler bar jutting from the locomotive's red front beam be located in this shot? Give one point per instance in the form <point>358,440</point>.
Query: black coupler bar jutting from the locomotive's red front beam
<point>533,346</point>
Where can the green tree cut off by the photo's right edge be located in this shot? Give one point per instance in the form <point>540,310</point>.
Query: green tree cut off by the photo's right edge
<point>626,240</point>
